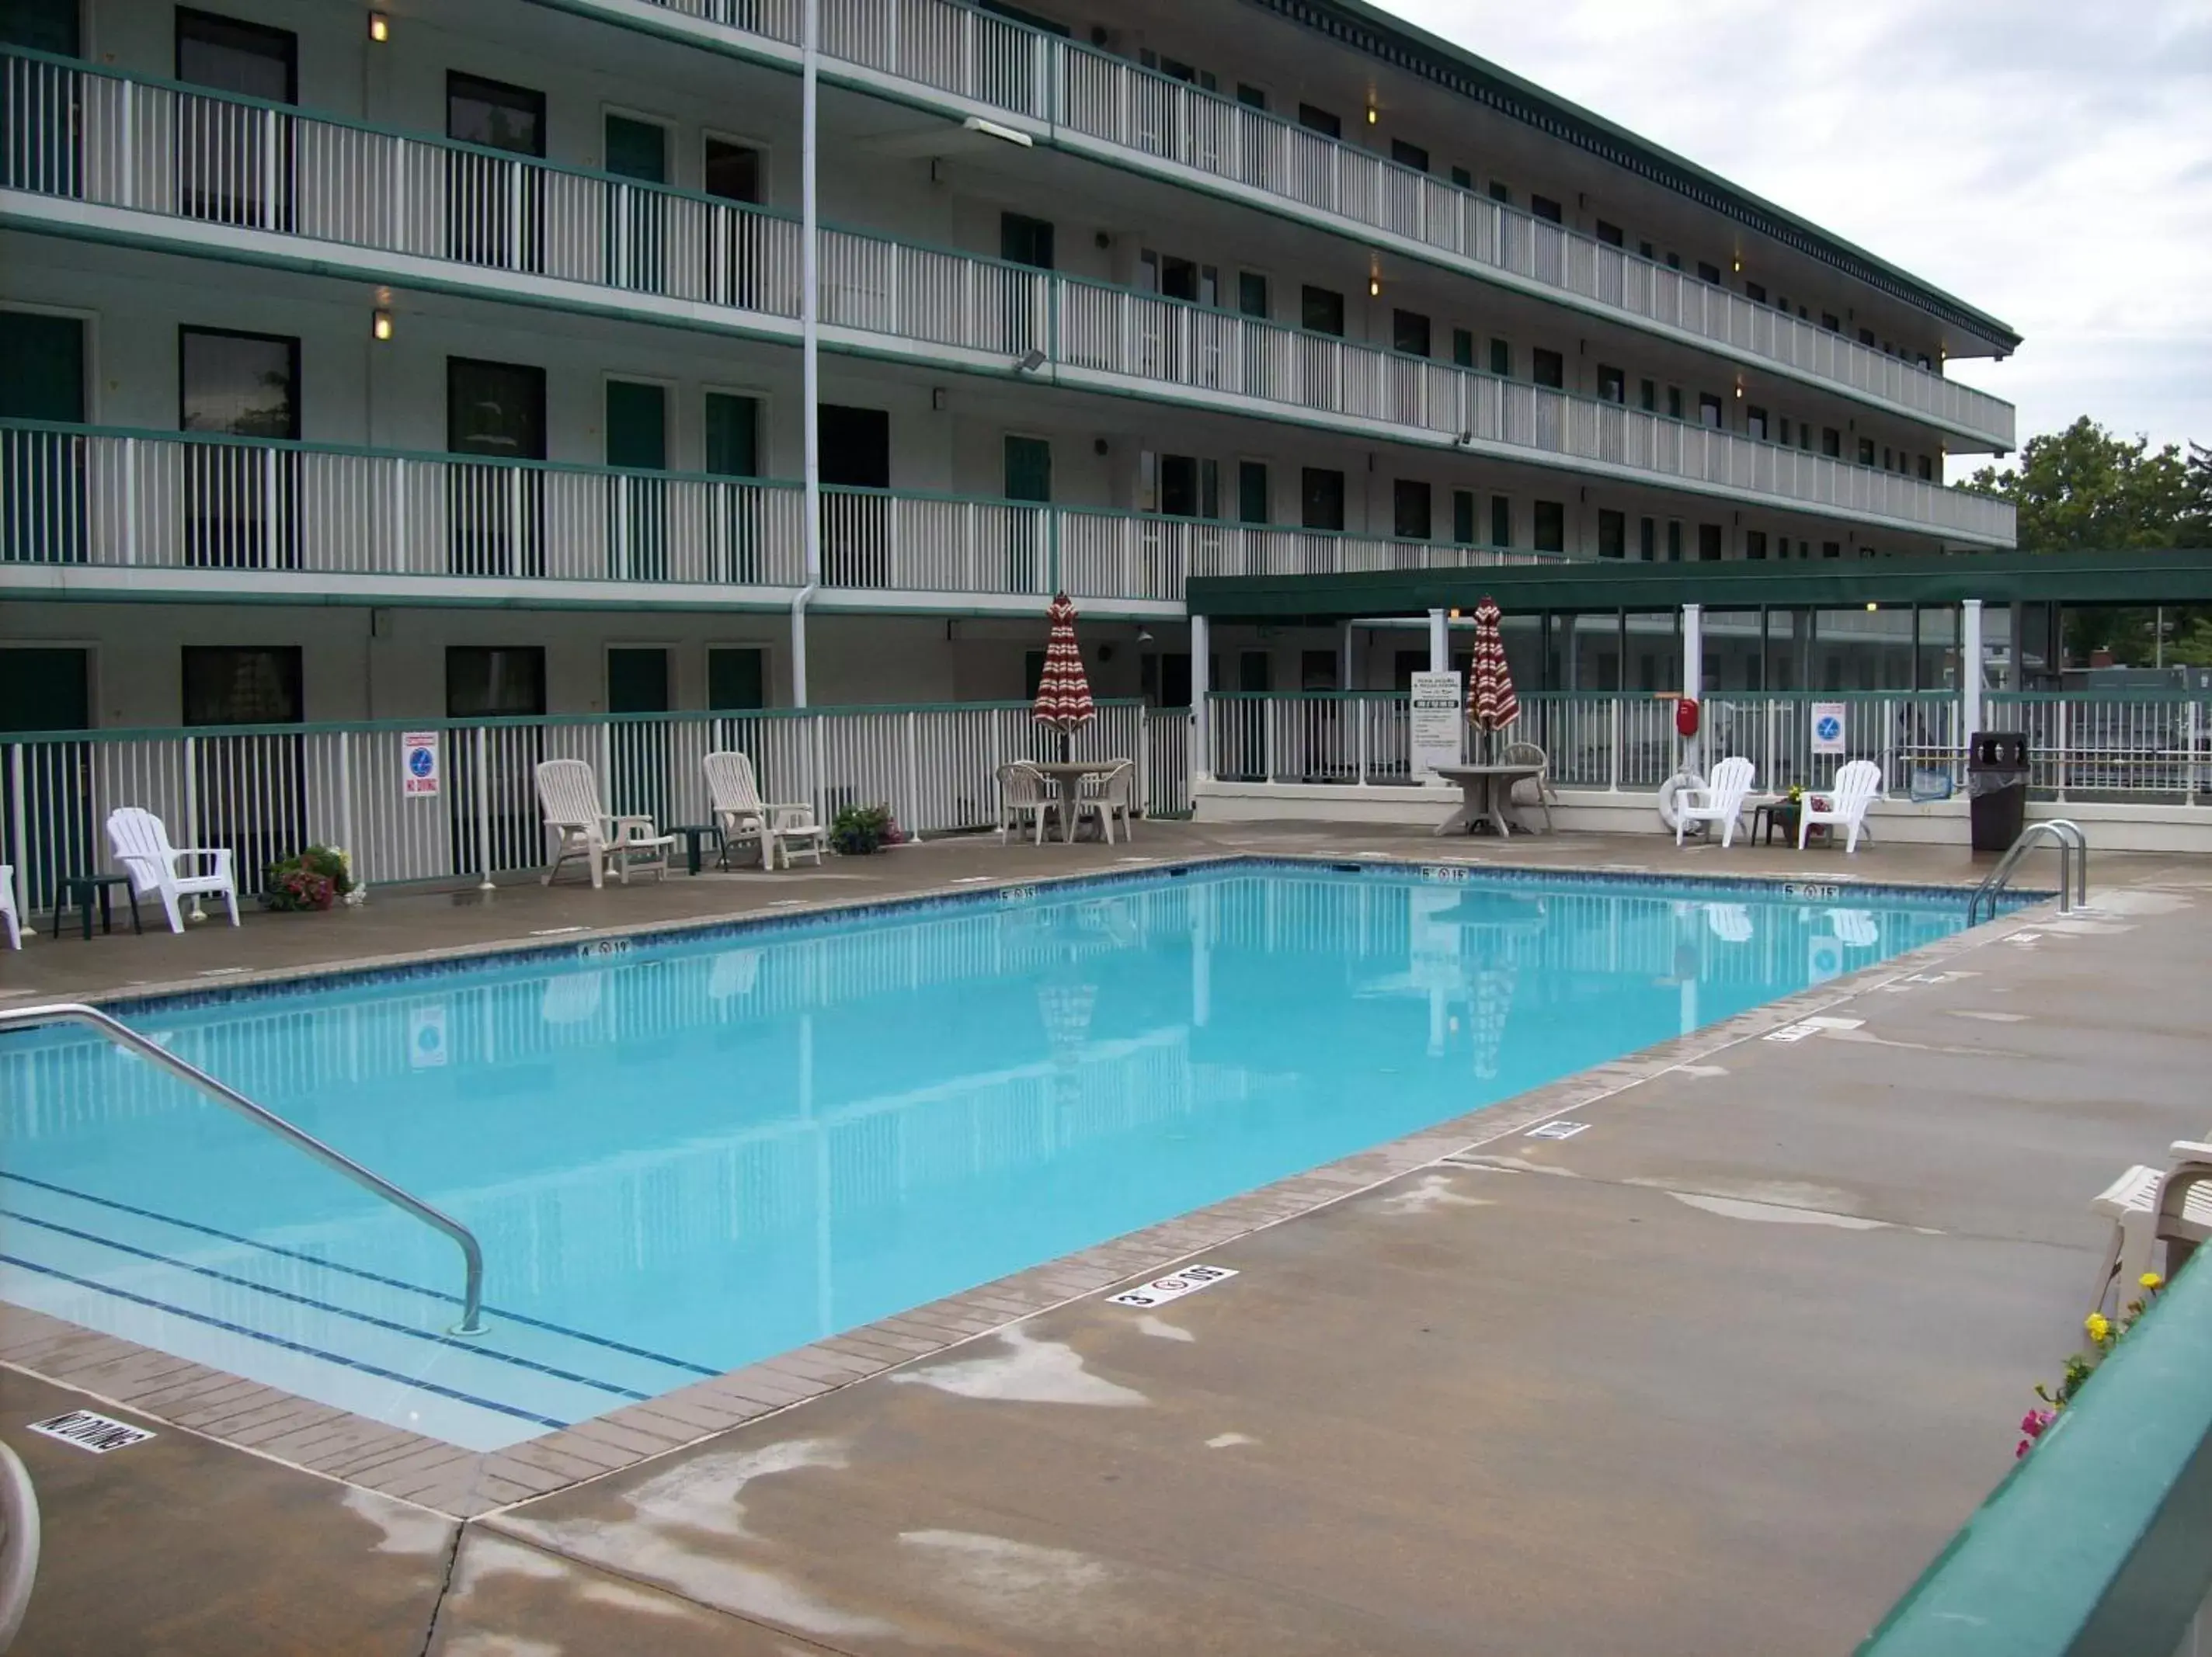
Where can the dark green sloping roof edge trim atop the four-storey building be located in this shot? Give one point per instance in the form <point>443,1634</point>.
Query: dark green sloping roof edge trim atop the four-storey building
<point>1439,61</point>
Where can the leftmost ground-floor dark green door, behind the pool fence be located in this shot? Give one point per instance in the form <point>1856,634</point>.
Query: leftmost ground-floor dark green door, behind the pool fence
<point>50,689</point>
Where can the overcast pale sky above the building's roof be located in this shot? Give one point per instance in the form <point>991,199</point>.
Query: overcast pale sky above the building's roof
<point>2045,160</point>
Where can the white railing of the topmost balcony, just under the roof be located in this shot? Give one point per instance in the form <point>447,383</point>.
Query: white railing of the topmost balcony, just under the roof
<point>1189,134</point>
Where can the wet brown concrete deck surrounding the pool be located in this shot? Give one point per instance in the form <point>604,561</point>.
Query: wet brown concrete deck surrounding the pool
<point>1715,1375</point>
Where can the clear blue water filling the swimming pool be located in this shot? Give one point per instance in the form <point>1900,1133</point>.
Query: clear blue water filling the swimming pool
<point>707,1151</point>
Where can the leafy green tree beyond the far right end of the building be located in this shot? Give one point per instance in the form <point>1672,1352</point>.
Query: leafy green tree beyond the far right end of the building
<point>2089,490</point>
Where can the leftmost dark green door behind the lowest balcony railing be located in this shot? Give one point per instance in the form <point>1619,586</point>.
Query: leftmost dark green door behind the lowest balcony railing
<point>43,472</point>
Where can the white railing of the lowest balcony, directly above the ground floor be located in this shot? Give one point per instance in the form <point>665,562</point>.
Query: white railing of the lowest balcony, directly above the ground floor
<point>178,501</point>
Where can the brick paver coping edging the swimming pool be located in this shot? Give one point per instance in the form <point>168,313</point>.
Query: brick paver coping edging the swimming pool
<point>461,1483</point>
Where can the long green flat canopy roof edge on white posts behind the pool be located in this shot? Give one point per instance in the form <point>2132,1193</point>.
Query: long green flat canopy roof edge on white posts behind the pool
<point>2180,576</point>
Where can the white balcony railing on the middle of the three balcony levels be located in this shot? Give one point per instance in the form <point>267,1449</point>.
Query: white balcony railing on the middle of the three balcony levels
<point>160,149</point>
